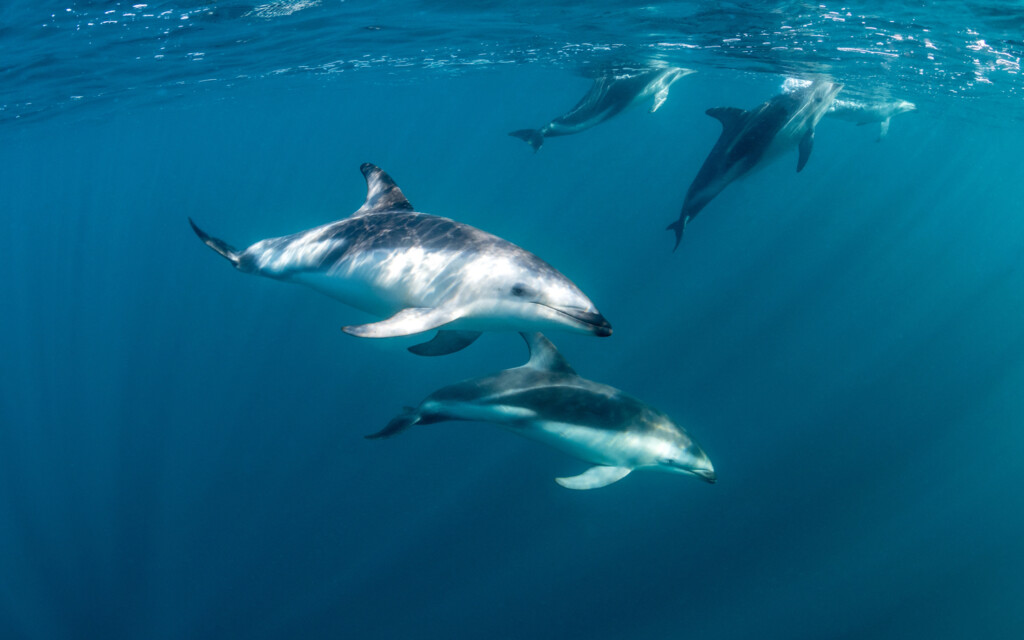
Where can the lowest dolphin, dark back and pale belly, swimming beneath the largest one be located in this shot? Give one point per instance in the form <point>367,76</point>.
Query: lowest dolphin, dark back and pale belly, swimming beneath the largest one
<point>546,401</point>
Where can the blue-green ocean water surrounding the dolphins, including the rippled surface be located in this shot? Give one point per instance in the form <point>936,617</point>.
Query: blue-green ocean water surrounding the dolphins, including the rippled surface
<point>182,451</point>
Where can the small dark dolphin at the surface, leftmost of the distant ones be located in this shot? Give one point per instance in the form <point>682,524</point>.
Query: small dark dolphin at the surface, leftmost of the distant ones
<point>608,97</point>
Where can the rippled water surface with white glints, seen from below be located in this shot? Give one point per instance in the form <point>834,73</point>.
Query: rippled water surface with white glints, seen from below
<point>61,56</point>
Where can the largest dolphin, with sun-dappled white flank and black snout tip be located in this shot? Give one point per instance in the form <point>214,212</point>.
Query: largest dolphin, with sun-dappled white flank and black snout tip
<point>420,273</point>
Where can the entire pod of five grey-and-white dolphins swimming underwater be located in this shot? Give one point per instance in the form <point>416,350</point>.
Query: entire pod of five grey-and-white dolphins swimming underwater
<point>421,273</point>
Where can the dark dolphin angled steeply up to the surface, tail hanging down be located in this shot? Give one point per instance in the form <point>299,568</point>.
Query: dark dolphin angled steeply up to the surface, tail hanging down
<point>753,139</point>
